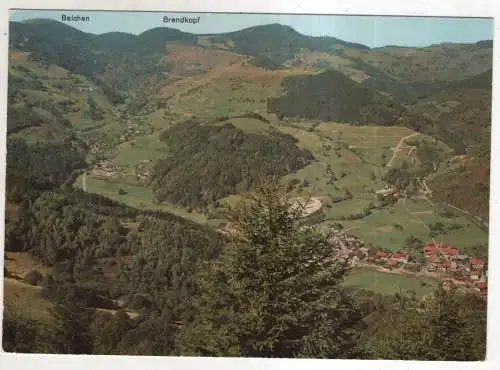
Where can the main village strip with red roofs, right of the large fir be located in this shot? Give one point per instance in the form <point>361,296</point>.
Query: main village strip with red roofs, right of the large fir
<point>440,260</point>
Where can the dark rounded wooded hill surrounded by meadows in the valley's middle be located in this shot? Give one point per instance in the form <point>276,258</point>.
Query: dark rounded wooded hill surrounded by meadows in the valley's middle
<point>206,163</point>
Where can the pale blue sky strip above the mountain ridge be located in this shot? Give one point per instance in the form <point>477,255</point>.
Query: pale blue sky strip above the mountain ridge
<point>373,31</point>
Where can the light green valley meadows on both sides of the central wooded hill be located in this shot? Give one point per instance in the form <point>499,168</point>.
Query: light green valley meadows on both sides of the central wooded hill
<point>357,166</point>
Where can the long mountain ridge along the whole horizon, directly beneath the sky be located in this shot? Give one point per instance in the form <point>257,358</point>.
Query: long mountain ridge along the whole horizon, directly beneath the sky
<point>421,70</point>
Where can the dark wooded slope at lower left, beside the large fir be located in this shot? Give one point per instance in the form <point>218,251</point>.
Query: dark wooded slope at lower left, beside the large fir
<point>105,253</point>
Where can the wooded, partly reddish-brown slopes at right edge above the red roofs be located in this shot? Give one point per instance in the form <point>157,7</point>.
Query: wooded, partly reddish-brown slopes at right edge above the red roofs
<point>462,119</point>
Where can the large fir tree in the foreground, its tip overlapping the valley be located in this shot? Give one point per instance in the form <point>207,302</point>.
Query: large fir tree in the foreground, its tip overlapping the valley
<point>275,290</point>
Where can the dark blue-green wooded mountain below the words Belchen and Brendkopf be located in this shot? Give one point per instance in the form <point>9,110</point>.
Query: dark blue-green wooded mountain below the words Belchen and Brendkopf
<point>113,60</point>
